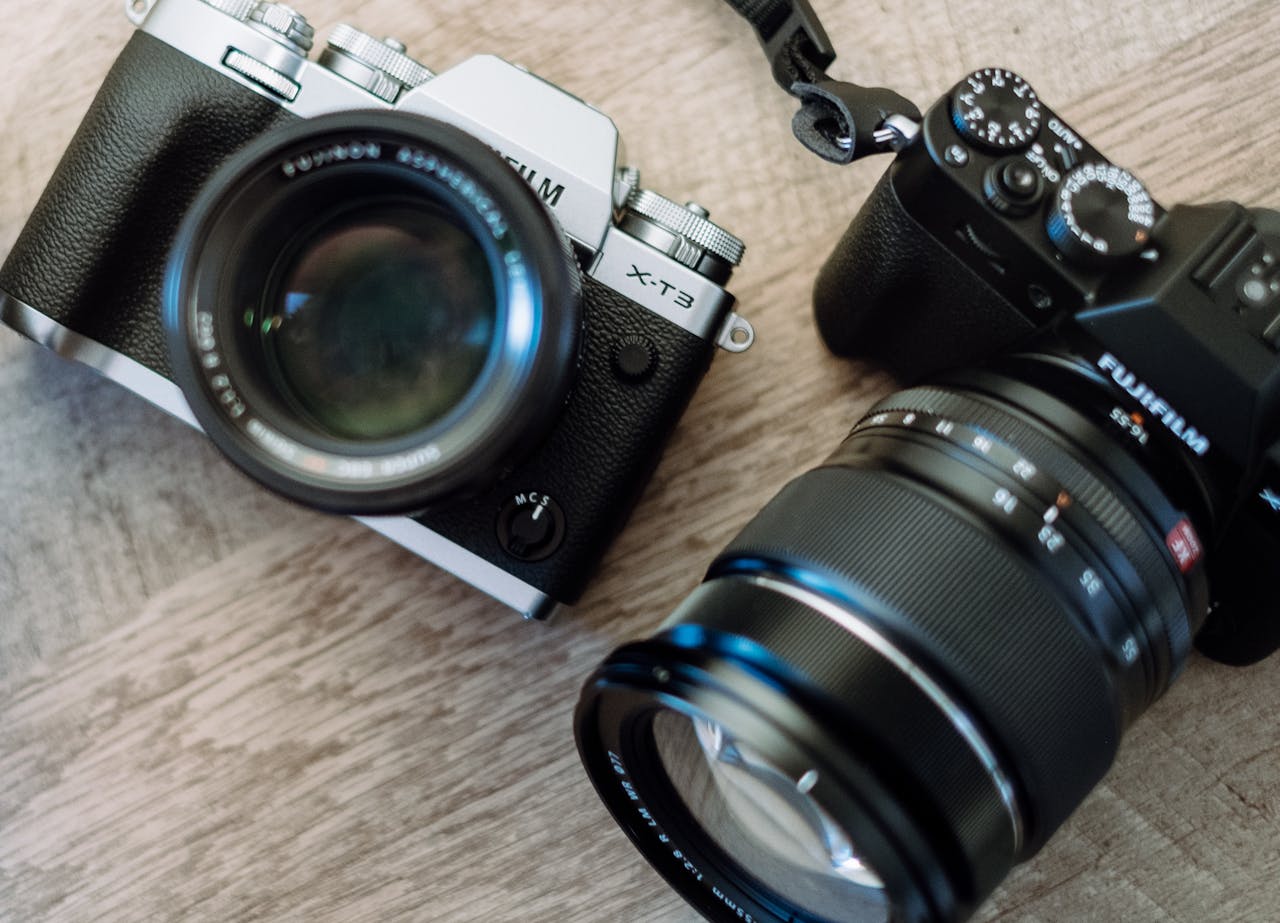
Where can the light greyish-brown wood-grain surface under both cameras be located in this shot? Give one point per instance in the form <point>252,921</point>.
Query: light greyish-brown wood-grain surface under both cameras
<point>217,706</point>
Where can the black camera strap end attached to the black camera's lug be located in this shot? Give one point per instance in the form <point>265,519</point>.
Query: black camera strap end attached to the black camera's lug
<point>838,121</point>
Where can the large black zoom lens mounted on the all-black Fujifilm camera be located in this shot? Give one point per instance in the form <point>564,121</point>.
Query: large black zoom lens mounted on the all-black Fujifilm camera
<point>915,664</point>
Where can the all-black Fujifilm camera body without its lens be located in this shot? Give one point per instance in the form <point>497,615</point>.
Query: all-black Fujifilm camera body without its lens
<point>1000,229</point>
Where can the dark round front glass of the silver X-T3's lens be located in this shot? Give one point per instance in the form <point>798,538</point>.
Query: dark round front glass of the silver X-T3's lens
<point>381,321</point>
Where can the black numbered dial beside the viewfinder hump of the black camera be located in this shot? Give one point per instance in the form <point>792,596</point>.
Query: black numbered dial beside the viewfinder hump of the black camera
<point>1101,214</point>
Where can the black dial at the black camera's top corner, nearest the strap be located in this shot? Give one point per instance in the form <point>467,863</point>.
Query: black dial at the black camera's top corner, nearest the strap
<point>996,109</point>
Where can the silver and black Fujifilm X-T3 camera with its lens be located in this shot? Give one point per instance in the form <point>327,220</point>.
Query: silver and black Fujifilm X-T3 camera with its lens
<point>378,290</point>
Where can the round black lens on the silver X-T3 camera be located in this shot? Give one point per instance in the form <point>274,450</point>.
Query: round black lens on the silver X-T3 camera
<point>371,313</point>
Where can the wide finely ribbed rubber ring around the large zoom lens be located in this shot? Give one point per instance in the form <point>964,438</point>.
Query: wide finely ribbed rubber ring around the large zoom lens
<point>949,593</point>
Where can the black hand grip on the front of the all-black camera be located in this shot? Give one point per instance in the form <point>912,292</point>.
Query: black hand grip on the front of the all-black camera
<point>894,295</point>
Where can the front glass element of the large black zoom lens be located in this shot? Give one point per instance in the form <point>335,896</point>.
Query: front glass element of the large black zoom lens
<point>767,821</point>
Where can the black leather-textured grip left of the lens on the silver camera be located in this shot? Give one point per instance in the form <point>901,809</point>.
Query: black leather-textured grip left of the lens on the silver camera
<point>93,255</point>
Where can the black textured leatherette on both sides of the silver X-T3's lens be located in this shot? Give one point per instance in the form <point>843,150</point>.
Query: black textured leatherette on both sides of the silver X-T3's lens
<point>94,255</point>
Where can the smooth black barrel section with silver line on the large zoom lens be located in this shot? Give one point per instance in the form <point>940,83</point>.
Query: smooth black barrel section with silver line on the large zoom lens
<point>908,734</point>
